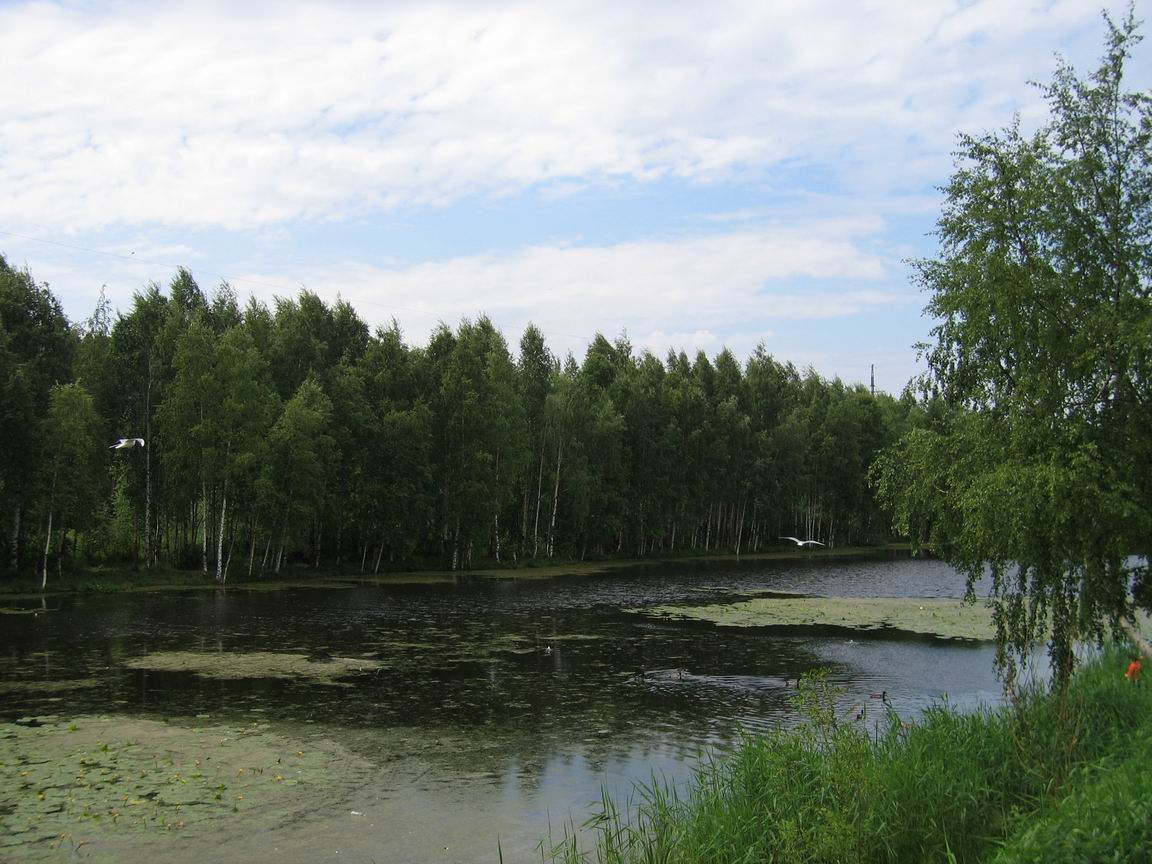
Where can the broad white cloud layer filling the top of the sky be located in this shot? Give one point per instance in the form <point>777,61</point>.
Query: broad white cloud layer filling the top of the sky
<point>249,116</point>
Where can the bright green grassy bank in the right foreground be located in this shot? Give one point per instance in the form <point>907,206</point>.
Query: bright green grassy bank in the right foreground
<point>1040,780</point>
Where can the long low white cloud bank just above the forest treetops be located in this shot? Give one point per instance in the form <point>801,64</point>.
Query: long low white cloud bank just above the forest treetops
<point>687,293</point>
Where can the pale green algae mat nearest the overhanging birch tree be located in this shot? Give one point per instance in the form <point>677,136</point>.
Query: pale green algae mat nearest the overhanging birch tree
<point>943,618</point>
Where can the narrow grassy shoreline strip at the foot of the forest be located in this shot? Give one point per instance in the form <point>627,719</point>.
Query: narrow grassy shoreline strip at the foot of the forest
<point>112,579</point>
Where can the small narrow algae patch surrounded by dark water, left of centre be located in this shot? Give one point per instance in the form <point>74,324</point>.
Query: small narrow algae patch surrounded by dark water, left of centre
<point>257,665</point>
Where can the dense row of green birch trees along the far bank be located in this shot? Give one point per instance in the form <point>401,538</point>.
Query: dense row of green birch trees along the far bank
<point>295,435</point>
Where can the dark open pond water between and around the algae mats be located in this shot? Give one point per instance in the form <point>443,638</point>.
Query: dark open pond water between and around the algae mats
<point>498,708</point>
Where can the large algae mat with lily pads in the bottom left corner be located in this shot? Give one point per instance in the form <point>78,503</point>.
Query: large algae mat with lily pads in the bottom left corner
<point>93,786</point>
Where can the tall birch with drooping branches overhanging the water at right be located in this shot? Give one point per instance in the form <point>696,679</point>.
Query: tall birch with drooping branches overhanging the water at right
<point>1042,471</point>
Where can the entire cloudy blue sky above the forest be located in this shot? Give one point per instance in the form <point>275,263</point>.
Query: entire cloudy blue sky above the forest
<point>691,176</point>
